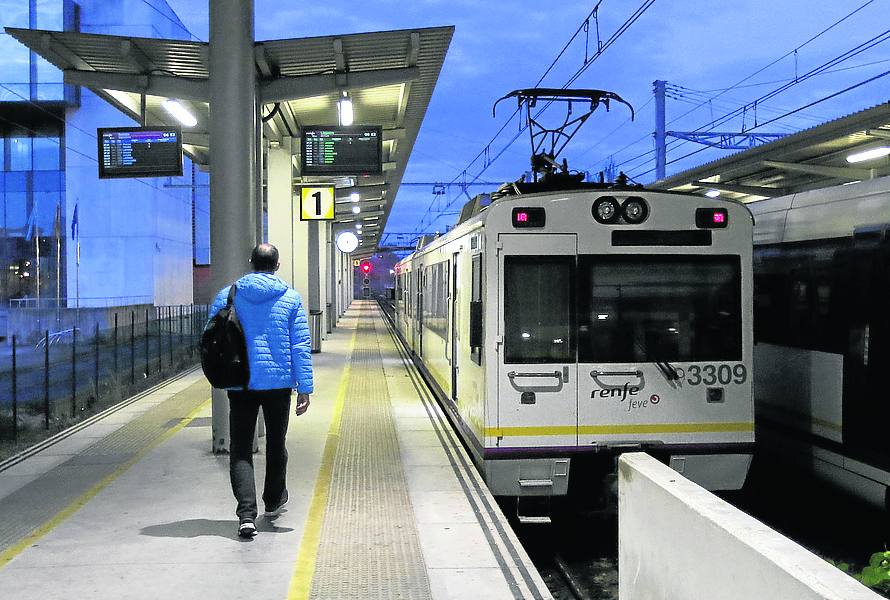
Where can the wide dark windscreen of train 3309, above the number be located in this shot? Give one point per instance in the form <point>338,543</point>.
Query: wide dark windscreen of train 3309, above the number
<point>648,308</point>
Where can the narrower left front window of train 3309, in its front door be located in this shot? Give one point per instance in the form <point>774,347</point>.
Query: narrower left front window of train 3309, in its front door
<point>538,309</point>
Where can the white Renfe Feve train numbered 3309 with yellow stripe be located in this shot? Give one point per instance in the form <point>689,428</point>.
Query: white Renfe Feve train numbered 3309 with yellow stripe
<point>564,327</point>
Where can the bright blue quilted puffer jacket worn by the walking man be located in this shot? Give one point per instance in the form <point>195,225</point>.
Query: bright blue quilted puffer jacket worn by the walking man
<point>277,333</point>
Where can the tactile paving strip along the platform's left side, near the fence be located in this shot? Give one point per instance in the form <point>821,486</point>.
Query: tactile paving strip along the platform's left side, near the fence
<point>32,511</point>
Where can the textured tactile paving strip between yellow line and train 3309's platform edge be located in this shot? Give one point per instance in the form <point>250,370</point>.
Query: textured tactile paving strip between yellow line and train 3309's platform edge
<point>369,547</point>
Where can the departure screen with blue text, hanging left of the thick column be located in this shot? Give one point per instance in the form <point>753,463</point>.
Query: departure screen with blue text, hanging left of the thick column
<point>139,151</point>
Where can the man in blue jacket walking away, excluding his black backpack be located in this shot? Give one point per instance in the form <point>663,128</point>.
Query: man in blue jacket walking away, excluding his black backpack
<point>280,360</point>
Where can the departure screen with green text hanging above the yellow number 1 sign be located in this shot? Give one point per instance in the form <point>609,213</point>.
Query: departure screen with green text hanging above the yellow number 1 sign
<point>354,150</point>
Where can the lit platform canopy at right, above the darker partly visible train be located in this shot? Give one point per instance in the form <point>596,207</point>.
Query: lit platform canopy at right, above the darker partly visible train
<point>809,159</point>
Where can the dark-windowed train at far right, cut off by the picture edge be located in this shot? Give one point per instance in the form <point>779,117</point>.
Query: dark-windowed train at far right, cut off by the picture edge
<point>822,331</point>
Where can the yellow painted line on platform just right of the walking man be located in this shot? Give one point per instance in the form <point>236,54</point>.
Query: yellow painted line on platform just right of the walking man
<point>300,586</point>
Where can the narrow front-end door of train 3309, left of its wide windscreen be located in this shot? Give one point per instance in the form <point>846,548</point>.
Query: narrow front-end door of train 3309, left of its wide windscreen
<point>537,368</point>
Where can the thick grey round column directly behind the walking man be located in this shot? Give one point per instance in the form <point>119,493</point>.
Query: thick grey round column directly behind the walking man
<point>233,121</point>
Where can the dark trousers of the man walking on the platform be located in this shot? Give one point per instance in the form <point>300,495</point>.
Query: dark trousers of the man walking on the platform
<point>243,407</point>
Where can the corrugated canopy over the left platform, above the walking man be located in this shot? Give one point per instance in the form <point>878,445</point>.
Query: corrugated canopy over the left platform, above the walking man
<point>388,75</point>
